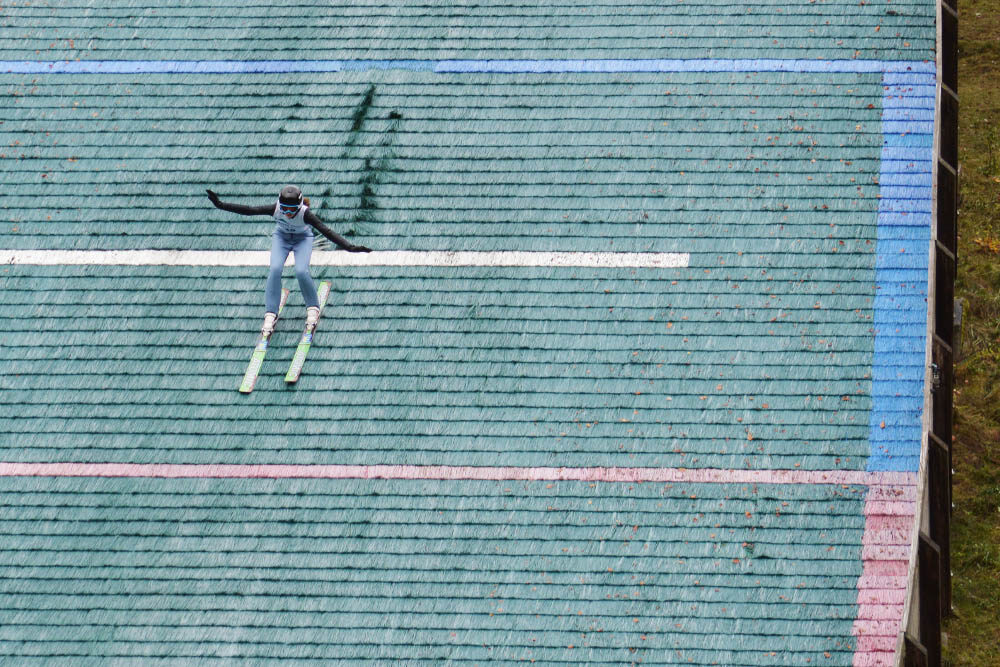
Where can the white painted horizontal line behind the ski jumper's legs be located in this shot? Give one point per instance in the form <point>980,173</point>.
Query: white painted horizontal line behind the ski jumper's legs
<point>616,260</point>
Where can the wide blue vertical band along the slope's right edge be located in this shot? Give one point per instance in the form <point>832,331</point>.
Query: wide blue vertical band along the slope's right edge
<point>901,271</point>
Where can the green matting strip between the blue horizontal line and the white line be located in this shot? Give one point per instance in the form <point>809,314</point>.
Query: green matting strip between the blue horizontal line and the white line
<point>769,165</point>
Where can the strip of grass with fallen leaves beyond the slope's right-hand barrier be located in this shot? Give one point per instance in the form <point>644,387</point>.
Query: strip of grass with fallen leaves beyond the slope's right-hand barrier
<point>975,628</point>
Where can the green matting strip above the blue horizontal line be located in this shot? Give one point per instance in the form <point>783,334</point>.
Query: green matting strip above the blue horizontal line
<point>375,30</point>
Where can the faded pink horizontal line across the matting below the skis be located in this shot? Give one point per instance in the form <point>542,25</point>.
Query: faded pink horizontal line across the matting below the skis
<point>675,475</point>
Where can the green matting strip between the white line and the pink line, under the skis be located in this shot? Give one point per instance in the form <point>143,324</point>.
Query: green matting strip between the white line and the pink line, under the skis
<point>731,367</point>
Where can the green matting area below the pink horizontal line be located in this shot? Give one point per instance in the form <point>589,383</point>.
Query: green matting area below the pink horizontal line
<point>341,572</point>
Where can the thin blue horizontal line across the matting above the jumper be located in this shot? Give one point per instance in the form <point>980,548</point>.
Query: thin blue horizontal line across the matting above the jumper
<point>898,68</point>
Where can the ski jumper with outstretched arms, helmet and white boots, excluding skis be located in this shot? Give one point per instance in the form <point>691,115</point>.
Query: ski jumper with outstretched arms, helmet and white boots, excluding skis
<point>292,233</point>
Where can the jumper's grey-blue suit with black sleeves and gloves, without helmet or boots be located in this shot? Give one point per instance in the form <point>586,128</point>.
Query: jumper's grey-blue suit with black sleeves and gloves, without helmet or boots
<point>291,234</point>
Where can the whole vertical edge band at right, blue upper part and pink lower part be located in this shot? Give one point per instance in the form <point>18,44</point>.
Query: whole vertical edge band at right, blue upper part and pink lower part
<point>903,240</point>
